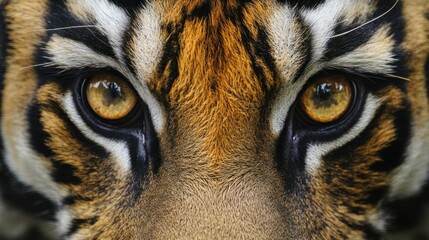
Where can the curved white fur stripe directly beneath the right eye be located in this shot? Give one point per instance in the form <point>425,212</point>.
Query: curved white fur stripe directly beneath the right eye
<point>316,151</point>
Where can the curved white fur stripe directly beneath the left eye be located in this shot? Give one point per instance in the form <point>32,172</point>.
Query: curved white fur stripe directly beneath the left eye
<point>118,149</point>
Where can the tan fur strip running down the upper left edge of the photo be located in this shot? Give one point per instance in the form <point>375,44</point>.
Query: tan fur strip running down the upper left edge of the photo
<point>19,93</point>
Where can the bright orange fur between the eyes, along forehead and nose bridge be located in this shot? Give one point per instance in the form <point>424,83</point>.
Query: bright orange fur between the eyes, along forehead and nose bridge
<point>217,96</point>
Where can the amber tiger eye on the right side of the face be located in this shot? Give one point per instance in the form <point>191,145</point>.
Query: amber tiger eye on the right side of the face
<point>327,99</point>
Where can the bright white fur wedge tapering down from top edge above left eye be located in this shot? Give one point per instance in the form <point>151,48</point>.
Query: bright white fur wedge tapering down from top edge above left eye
<point>112,20</point>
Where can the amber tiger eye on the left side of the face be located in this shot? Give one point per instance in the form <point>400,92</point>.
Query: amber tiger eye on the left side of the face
<point>110,97</point>
